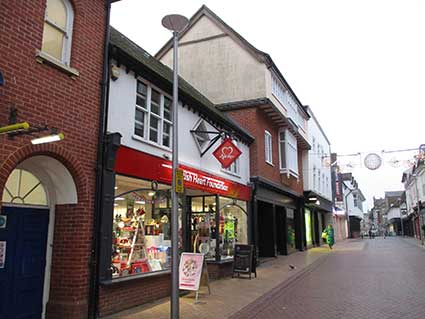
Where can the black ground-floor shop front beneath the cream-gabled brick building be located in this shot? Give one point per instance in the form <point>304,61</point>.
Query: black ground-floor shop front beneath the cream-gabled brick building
<point>277,219</point>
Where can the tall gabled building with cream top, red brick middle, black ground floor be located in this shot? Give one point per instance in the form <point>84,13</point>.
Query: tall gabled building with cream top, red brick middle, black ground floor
<point>245,83</point>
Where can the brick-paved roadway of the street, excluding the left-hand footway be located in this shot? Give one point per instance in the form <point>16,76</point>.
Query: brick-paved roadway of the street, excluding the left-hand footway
<point>383,279</point>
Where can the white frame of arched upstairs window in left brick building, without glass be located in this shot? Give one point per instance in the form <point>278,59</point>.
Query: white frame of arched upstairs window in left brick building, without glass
<point>67,33</point>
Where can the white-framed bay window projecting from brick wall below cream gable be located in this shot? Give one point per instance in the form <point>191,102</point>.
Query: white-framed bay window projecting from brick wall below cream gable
<point>288,153</point>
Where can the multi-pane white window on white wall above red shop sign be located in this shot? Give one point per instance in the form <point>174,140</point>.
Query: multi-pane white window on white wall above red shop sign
<point>153,116</point>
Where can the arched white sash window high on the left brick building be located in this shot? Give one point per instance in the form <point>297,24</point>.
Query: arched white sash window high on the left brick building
<point>57,33</point>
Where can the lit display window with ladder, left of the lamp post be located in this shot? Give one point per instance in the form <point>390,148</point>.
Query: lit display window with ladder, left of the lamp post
<point>141,227</point>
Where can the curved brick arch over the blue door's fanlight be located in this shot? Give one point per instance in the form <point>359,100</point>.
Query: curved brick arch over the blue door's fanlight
<point>55,151</point>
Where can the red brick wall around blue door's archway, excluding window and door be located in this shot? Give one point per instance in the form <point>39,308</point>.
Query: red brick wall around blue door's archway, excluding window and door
<point>46,95</point>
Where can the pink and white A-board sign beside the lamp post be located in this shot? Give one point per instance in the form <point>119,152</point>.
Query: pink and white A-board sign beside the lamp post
<point>190,271</point>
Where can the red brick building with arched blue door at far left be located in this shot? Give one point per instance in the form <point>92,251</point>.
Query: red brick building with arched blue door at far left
<point>52,62</point>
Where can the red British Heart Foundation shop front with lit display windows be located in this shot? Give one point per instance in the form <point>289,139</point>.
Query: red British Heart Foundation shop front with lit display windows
<point>213,218</point>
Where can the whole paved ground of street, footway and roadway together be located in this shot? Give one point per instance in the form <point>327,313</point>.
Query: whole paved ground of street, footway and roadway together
<point>370,278</point>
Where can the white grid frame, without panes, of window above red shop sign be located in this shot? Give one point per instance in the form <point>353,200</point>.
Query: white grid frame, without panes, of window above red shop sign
<point>148,114</point>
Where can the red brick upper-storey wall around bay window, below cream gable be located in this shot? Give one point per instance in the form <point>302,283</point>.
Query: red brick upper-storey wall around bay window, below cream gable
<point>256,122</point>
